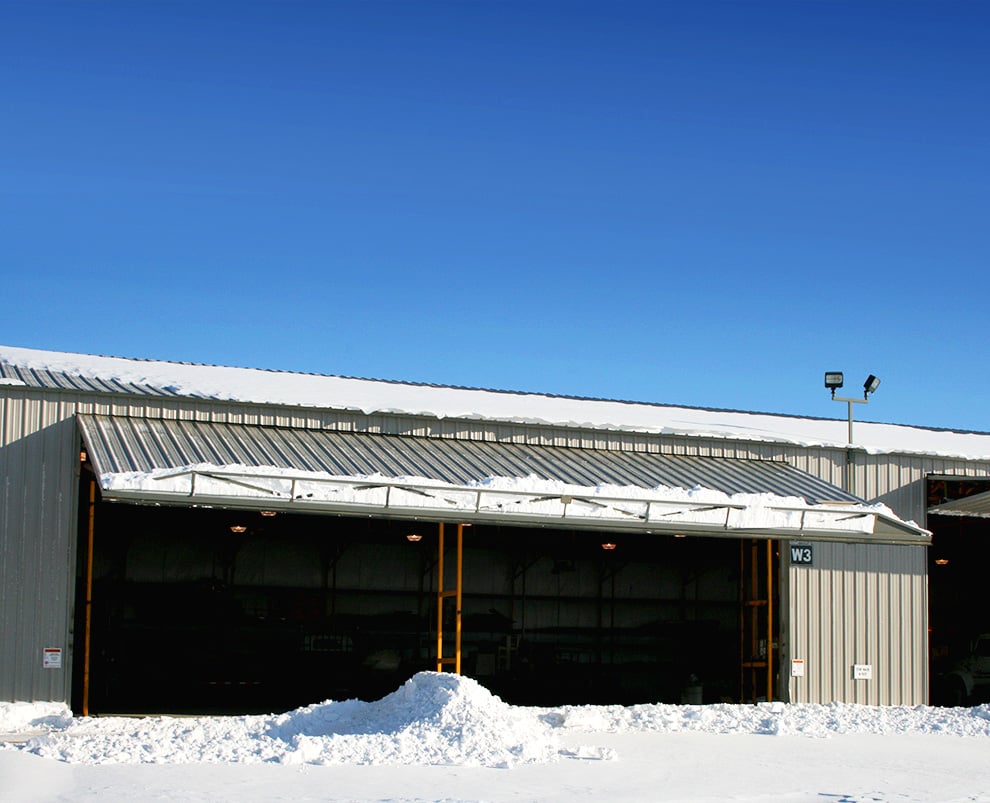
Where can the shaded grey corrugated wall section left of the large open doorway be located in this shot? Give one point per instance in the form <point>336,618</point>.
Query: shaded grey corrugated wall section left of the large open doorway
<point>38,442</point>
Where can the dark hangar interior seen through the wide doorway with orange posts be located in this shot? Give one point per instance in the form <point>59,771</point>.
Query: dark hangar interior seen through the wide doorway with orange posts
<point>189,616</point>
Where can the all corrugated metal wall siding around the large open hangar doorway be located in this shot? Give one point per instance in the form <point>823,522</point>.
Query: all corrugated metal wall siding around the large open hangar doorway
<point>37,530</point>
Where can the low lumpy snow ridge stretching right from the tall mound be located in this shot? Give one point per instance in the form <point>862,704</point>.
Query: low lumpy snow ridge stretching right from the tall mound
<point>778,719</point>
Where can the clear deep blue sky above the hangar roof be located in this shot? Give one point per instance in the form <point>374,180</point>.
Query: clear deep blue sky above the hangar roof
<point>700,203</point>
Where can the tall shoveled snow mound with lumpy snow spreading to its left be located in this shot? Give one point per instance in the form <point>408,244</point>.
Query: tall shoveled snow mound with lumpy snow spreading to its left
<point>432,719</point>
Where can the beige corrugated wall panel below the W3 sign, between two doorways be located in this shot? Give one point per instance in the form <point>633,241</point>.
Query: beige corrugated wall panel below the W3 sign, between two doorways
<point>860,604</point>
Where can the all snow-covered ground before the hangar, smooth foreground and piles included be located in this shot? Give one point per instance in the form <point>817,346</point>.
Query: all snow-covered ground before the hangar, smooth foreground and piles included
<point>442,737</point>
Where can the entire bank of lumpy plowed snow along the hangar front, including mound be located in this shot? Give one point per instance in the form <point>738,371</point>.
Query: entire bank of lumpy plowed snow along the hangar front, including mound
<point>446,720</point>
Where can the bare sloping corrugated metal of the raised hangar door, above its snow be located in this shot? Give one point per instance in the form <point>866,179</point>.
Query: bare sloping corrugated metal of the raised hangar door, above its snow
<point>123,445</point>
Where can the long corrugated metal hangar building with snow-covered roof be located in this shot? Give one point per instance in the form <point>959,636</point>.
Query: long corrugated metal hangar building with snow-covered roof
<point>194,538</point>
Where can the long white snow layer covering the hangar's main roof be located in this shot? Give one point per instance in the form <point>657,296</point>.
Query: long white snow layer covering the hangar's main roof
<point>370,396</point>
